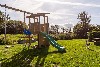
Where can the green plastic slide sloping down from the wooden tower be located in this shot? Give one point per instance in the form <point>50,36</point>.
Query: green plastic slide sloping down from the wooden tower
<point>53,42</point>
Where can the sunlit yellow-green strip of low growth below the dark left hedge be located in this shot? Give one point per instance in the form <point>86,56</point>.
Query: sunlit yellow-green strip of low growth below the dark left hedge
<point>13,38</point>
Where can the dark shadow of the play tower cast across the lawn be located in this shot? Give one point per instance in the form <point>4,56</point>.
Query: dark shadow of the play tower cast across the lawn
<point>25,57</point>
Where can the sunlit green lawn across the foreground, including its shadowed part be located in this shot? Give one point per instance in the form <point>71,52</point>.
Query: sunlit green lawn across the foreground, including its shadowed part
<point>77,55</point>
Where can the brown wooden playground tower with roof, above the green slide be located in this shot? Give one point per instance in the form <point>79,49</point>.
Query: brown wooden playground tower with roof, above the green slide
<point>37,27</point>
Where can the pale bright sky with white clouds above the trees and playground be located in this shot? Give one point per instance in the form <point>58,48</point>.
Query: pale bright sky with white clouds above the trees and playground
<point>61,11</point>
